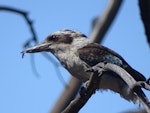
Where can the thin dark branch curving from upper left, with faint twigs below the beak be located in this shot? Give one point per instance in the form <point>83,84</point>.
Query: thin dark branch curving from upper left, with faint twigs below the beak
<point>33,39</point>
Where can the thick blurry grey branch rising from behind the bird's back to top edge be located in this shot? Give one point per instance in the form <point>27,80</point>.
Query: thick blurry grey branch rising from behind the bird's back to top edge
<point>104,21</point>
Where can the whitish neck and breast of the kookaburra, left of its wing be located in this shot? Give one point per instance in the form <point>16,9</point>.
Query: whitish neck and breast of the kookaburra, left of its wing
<point>70,60</point>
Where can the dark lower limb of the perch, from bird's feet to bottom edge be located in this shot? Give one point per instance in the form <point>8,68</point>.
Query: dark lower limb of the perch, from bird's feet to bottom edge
<point>85,93</point>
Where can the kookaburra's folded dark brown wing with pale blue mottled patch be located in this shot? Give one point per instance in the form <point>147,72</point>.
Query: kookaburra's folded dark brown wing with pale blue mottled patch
<point>93,54</point>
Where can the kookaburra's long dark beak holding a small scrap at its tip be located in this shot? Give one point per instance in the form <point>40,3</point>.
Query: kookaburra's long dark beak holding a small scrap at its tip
<point>44,46</point>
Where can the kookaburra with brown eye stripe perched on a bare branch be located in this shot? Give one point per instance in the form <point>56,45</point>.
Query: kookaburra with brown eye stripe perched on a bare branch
<point>77,53</point>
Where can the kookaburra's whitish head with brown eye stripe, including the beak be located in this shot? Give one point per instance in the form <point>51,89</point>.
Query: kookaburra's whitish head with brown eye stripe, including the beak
<point>58,41</point>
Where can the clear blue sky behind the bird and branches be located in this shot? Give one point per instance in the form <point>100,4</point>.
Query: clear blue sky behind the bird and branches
<point>23,92</point>
